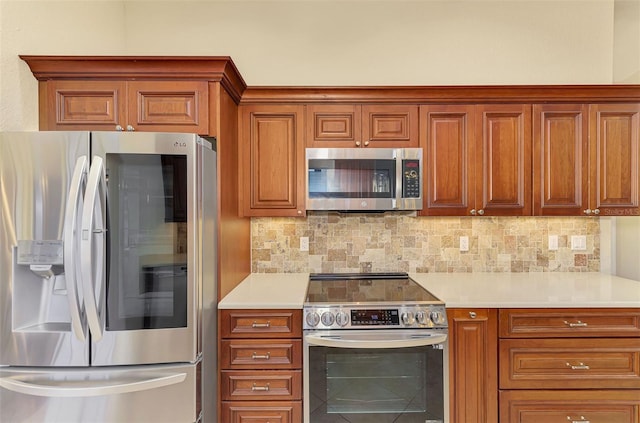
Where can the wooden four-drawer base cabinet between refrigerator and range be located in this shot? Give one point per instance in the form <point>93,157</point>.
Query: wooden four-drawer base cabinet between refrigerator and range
<point>260,358</point>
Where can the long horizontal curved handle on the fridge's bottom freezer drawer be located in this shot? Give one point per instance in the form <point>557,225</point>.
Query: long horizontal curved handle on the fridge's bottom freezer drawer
<point>46,387</point>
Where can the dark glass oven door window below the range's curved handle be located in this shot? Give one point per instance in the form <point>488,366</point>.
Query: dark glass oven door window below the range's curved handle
<point>395,385</point>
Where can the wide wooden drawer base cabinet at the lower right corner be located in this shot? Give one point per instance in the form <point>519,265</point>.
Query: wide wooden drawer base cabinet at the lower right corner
<point>569,365</point>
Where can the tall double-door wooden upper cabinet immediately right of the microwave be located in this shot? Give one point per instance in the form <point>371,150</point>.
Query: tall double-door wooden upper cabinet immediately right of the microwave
<point>477,159</point>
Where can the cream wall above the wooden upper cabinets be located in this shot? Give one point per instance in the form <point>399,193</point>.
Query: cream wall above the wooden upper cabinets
<point>323,42</point>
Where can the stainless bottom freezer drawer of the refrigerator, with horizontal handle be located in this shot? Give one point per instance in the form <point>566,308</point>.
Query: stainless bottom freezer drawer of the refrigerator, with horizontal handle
<point>162,393</point>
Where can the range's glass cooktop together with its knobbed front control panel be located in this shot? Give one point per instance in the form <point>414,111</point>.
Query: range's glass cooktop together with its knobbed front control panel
<point>370,301</point>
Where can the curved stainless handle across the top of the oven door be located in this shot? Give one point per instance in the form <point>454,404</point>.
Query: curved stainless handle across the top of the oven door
<point>371,339</point>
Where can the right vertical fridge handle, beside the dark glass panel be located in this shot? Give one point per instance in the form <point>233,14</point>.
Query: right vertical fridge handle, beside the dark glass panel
<point>92,262</point>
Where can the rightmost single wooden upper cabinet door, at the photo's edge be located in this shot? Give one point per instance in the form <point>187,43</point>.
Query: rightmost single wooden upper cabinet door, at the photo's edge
<point>615,158</point>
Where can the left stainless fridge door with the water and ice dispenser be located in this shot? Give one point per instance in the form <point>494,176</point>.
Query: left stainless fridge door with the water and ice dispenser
<point>36,169</point>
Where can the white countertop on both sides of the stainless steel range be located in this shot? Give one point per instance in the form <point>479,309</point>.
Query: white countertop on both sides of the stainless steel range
<point>460,290</point>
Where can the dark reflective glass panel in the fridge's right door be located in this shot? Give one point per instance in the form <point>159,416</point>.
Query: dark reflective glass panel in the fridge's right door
<point>147,280</point>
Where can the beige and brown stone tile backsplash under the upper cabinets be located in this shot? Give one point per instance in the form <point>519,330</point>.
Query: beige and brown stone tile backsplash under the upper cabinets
<point>395,242</point>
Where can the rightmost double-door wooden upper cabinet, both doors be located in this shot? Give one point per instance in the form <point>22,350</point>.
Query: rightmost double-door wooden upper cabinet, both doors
<point>586,159</point>
